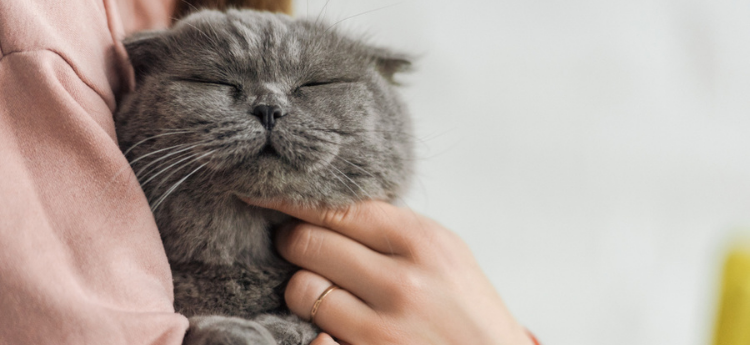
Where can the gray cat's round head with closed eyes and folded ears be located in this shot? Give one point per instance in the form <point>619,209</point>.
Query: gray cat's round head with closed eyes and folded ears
<point>259,105</point>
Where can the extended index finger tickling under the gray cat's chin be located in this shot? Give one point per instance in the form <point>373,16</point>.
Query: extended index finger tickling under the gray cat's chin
<point>378,225</point>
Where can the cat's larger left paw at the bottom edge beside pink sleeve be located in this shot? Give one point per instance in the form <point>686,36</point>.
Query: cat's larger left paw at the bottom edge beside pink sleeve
<point>222,330</point>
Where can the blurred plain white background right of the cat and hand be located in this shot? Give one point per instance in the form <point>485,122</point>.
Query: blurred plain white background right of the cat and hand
<point>594,154</point>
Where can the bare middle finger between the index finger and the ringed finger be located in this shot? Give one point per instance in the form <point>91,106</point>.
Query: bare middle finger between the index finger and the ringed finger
<point>346,262</point>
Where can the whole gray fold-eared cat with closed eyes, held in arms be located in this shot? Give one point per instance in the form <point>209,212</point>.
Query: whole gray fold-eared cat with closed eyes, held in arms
<point>256,105</point>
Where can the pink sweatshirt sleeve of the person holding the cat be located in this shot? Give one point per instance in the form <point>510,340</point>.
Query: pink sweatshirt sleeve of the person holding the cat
<point>81,261</point>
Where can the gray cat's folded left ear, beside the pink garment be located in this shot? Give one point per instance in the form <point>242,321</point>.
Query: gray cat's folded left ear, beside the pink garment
<point>146,51</point>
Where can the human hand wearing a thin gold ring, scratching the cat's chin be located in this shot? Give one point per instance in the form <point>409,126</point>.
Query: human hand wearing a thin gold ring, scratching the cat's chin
<point>403,279</point>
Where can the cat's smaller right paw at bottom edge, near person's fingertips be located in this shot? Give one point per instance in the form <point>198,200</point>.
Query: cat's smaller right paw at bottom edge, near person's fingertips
<point>288,329</point>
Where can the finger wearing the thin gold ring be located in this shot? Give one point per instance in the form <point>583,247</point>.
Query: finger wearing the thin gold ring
<point>339,314</point>
